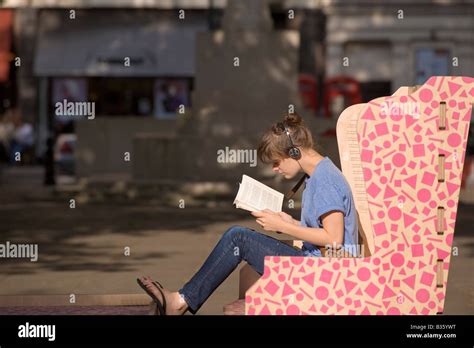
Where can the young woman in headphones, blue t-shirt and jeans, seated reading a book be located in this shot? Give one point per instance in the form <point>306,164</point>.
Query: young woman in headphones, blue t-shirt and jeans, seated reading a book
<point>328,217</point>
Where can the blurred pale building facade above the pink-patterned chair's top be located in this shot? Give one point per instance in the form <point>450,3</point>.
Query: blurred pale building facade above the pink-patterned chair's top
<point>399,43</point>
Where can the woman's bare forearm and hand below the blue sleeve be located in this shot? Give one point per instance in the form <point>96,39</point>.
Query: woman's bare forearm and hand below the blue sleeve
<point>331,233</point>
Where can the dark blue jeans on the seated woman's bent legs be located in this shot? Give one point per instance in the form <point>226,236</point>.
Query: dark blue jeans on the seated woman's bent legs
<point>237,243</point>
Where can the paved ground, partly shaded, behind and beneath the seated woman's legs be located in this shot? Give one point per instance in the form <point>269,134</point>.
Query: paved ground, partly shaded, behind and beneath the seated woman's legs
<point>82,250</point>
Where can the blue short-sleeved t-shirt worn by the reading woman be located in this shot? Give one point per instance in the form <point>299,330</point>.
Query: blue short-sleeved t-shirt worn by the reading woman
<point>326,190</point>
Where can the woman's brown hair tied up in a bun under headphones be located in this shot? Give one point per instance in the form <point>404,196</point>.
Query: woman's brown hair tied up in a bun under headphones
<point>274,144</point>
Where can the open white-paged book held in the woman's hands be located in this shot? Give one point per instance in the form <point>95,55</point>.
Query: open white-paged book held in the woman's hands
<point>255,196</point>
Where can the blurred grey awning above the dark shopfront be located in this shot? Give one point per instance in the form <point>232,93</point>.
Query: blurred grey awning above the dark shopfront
<point>121,43</point>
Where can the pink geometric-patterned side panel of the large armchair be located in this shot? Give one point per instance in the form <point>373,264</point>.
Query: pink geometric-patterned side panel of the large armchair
<point>399,156</point>
